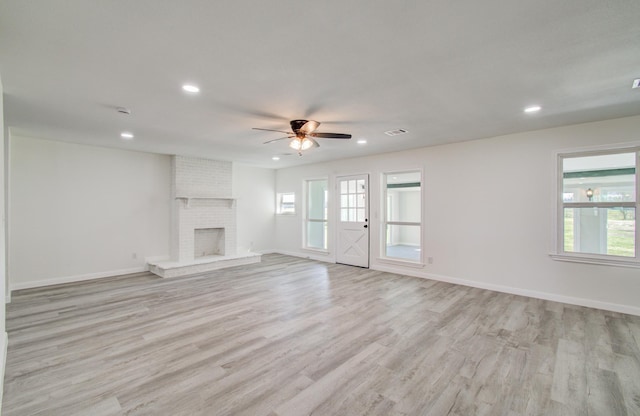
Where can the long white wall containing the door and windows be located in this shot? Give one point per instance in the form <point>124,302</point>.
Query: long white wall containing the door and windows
<point>488,214</point>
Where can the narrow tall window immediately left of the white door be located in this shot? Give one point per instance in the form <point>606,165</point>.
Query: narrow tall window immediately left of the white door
<point>316,214</point>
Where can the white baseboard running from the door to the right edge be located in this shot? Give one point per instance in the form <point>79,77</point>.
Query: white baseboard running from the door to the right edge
<point>589,303</point>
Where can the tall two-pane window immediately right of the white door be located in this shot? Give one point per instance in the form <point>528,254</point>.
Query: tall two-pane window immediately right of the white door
<point>403,216</point>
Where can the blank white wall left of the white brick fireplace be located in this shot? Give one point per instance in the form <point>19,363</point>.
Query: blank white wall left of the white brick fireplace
<point>78,212</point>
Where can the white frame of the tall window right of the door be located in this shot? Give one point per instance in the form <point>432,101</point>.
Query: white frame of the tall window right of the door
<point>384,219</point>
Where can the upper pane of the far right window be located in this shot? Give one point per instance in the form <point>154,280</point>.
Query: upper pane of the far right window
<point>603,178</point>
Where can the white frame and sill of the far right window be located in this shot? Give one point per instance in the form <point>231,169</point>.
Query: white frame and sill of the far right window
<point>558,243</point>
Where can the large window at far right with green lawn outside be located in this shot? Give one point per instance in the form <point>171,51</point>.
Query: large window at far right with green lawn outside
<point>597,205</point>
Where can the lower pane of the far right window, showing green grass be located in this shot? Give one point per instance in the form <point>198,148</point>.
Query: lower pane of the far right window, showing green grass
<point>608,231</point>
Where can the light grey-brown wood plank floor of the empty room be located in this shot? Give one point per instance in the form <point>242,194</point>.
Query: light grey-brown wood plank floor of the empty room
<point>291,336</point>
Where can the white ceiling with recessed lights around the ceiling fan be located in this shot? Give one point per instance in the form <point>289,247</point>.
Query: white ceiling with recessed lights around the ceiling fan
<point>445,70</point>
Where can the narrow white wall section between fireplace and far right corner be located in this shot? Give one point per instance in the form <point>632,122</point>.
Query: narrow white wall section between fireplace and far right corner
<point>255,210</point>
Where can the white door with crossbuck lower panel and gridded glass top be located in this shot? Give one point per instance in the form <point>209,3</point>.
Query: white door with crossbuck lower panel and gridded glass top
<point>353,220</point>
